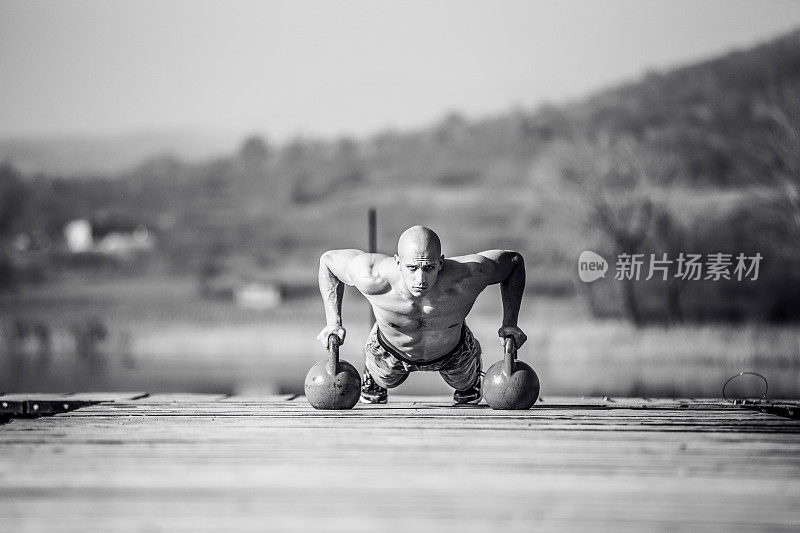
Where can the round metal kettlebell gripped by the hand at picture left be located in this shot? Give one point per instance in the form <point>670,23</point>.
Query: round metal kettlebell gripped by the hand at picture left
<point>331,383</point>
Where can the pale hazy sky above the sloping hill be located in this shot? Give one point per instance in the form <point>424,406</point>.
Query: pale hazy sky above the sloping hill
<point>329,68</point>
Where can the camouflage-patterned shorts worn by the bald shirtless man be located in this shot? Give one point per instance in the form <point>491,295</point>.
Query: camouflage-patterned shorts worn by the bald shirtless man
<point>460,368</point>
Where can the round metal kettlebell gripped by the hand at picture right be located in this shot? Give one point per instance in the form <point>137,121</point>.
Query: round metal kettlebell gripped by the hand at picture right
<point>510,384</point>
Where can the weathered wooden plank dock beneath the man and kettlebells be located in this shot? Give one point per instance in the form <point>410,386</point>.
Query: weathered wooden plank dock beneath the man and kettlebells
<point>137,462</point>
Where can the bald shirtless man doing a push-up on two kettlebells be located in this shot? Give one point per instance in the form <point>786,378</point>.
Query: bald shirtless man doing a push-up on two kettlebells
<point>420,300</point>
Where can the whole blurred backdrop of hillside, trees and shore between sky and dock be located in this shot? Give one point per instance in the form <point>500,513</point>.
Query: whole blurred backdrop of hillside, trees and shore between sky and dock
<point>700,159</point>
